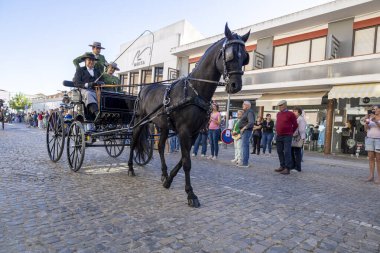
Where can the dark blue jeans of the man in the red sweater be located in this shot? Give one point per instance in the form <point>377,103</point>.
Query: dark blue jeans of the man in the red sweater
<point>284,151</point>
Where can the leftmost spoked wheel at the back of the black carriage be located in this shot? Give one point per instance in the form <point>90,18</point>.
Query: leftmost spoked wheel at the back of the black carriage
<point>55,136</point>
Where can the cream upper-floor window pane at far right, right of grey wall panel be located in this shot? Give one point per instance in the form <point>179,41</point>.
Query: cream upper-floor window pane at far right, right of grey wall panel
<point>364,41</point>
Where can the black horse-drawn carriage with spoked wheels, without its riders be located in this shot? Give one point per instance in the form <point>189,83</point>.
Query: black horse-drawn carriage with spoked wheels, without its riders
<point>110,129</point>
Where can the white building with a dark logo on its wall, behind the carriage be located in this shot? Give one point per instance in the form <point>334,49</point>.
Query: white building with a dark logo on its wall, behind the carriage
<point>149,59</point>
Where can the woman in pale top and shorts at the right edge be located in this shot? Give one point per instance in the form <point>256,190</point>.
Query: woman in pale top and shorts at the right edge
<point>372,143</point>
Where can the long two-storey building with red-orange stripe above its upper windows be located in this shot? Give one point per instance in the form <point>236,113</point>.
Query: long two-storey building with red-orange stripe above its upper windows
<point>324,59</point>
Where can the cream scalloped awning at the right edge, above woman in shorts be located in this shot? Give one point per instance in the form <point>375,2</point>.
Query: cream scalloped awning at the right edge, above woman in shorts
<point>355,91</point>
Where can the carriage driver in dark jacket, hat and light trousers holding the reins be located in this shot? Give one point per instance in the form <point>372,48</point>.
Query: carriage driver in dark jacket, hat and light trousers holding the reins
<point>86,78</point>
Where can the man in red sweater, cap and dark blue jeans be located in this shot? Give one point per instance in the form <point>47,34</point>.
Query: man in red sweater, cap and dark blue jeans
<point>285,126</point>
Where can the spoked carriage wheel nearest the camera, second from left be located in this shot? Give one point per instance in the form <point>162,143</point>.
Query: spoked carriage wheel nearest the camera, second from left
<point>75,146</point>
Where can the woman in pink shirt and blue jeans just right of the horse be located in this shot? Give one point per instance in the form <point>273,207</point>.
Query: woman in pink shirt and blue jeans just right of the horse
<point>214,131</point>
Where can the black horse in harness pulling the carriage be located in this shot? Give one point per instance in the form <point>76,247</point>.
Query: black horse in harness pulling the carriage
<point>184,106</point>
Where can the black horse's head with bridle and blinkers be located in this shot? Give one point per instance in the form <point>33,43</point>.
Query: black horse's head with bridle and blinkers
<point>232,58</point>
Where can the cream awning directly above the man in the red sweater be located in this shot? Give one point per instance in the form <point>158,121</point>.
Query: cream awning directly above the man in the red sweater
<point>293,99</point>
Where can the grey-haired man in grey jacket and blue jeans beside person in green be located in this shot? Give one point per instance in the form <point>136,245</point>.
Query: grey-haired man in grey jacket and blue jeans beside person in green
<point>246,127</point>
